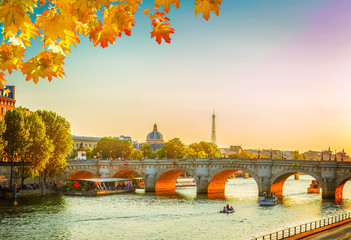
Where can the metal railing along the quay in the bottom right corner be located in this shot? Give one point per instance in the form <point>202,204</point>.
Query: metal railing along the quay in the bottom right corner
<point>288,232</point>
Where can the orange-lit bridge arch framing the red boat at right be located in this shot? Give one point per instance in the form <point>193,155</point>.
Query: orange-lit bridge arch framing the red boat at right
<point>278,180</point>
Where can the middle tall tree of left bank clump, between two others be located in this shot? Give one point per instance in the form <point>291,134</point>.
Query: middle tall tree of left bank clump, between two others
<point>39,148</point>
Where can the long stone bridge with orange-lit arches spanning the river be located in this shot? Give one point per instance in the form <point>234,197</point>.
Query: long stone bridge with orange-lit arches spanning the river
<point>211,174</point>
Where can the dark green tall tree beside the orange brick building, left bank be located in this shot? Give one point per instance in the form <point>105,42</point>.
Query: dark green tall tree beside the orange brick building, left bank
<point>16,135</point>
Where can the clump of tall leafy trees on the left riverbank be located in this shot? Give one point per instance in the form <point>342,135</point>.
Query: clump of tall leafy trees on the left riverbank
<point>39,140</point>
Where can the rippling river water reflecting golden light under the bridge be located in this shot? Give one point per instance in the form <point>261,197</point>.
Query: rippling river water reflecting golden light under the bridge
<point>149,216</point>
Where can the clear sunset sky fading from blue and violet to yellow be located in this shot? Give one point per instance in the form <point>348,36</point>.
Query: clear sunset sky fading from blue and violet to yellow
<point>276,73</point>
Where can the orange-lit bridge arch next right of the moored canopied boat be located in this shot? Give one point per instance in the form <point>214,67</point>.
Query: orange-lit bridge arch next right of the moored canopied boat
<point>166,182</point>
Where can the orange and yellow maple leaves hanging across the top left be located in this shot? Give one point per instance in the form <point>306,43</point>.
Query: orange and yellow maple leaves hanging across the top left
<point>59,24</point>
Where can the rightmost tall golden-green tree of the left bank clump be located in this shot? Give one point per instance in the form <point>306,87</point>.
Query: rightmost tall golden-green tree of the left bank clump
<point>58,130</point>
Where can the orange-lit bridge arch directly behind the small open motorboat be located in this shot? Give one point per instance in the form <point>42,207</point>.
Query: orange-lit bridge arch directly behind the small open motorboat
<point>219,179</point>
